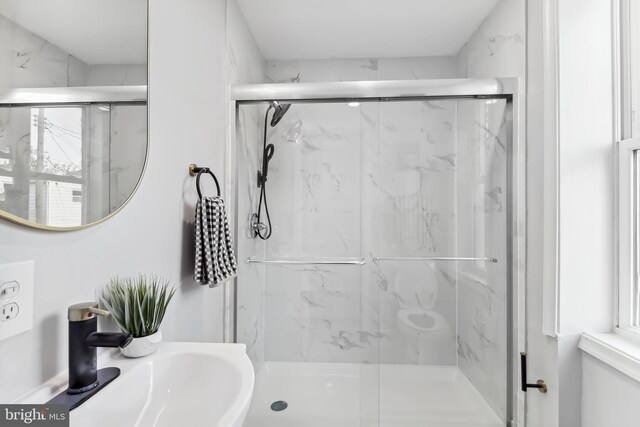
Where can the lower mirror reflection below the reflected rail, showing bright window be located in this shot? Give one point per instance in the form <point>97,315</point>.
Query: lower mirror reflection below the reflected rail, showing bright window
<point>54,154</point>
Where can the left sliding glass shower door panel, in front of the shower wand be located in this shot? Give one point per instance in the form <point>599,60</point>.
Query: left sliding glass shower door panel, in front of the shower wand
<point>305,312</point>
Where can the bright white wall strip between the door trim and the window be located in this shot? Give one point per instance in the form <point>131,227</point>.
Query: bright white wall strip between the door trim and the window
<point>586,231</point>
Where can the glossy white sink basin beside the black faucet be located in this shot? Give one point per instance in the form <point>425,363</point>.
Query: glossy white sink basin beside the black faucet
<point>182,384</point>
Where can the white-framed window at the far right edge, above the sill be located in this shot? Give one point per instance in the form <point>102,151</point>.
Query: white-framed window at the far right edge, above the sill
<point>629,169</point>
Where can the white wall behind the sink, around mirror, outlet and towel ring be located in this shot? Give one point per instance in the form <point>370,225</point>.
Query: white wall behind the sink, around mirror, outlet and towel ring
<point>154,232</point>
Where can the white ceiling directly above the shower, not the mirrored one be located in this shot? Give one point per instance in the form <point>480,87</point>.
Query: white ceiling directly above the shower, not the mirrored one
<point>316,29</point>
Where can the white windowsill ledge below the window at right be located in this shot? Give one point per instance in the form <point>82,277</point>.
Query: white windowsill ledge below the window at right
<point>615,350</point>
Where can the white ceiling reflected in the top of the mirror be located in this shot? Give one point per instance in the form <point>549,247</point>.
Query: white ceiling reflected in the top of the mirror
<point>94,31</point>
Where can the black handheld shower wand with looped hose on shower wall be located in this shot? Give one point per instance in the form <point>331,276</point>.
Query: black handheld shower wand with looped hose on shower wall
<point>260,229</point>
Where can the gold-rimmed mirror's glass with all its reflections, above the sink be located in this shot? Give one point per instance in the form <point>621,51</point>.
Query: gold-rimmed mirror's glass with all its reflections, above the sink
<point>73,109</point>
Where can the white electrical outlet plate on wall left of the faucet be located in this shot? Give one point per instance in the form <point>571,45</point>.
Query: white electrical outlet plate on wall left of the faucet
<point>16,298</point>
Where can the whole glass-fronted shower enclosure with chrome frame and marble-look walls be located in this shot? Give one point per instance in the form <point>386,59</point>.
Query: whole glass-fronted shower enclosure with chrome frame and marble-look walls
<point>387,292</point>
